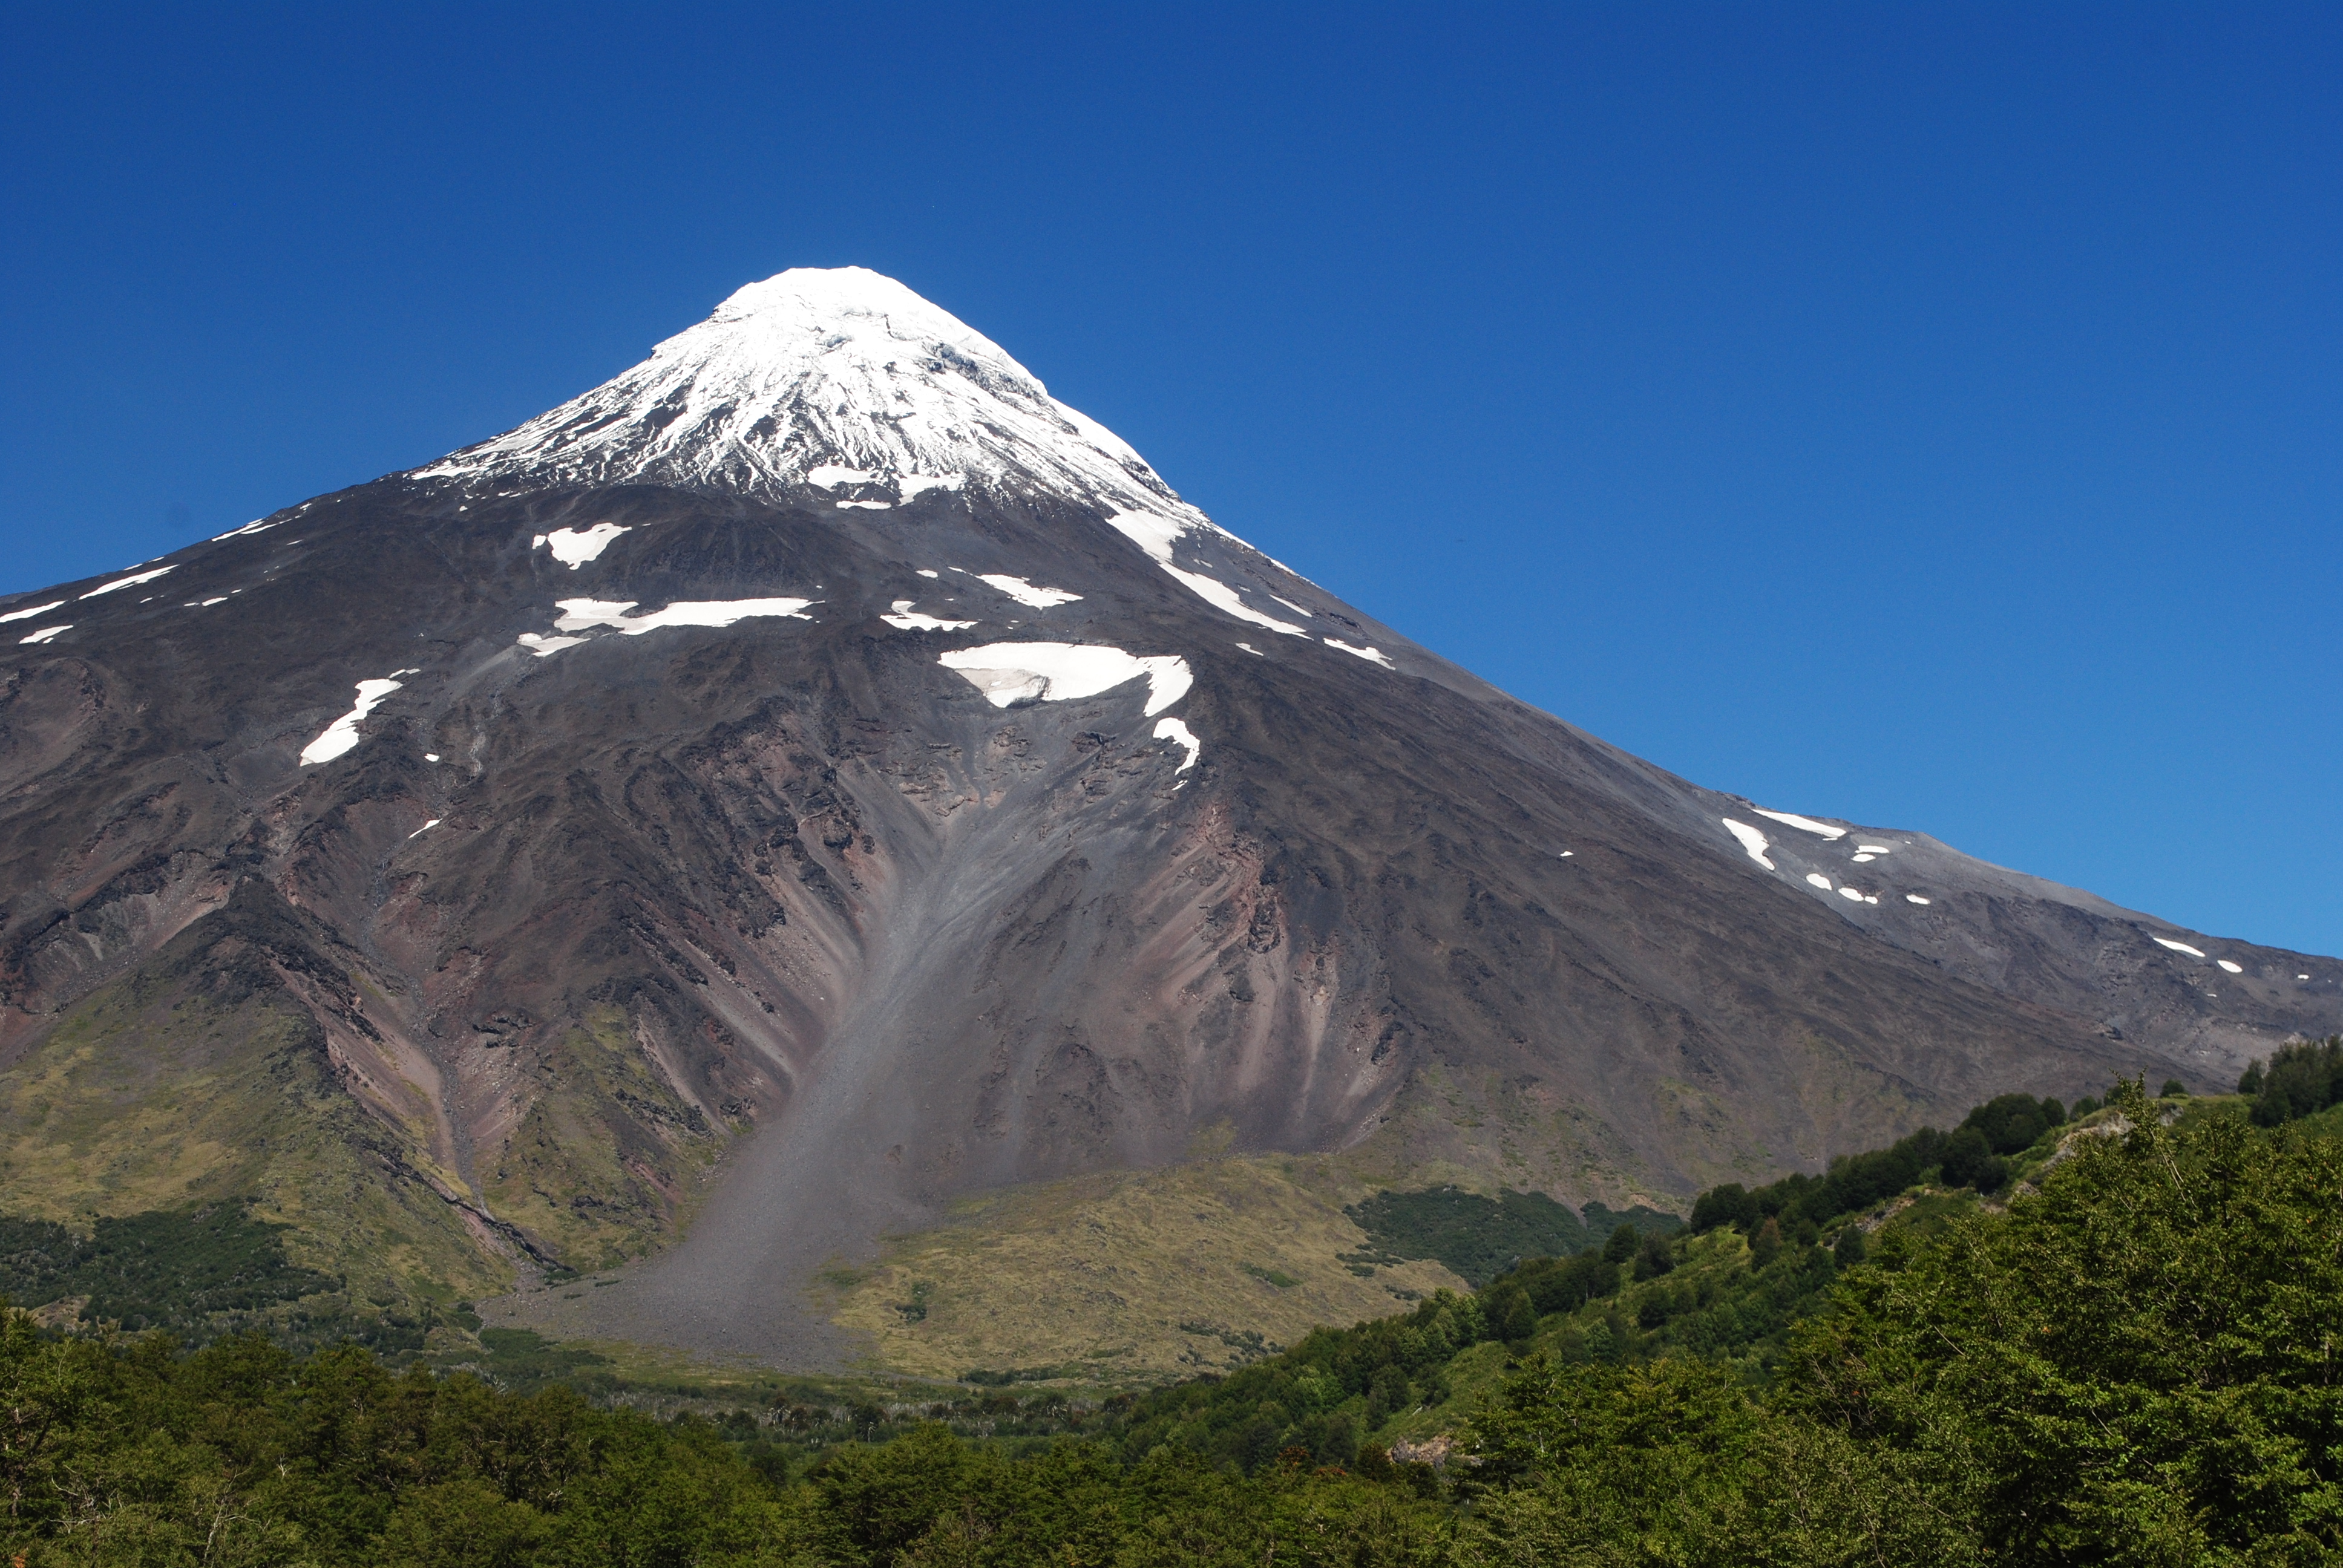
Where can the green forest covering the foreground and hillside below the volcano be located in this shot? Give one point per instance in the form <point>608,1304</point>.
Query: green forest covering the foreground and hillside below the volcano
<point>2098,1335</point>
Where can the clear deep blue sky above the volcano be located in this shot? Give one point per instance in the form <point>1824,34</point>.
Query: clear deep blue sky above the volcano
<point>1925,416</point>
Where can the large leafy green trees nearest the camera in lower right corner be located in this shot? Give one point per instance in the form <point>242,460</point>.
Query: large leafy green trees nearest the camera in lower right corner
<point>2140,1363</point>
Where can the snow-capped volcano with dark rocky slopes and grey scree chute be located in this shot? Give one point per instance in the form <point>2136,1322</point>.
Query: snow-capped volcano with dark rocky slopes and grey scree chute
<point>821,730</point>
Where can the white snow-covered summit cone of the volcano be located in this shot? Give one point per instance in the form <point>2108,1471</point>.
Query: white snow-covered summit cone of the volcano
<point>828,379</point>
